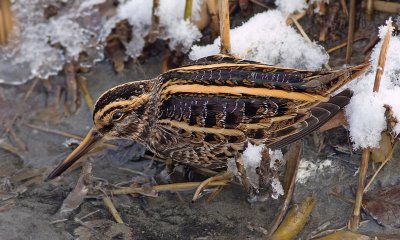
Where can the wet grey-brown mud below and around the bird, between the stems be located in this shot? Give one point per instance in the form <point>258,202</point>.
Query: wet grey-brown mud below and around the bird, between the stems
<point>29,207</point>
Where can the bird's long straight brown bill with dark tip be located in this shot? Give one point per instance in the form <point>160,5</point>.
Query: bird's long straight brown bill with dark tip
<point>87,144</point>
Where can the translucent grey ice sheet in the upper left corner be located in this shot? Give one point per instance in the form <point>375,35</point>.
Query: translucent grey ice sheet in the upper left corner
<point>30,48</point>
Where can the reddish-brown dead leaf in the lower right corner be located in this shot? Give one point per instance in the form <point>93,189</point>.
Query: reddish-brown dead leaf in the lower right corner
<point>384,205</point>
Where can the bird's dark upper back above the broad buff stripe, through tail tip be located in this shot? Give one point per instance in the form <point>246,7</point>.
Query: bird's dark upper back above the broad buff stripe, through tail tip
<point>225,70</point>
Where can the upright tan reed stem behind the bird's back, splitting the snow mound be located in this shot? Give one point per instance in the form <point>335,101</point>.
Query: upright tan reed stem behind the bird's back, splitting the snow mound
<point>224,26</point>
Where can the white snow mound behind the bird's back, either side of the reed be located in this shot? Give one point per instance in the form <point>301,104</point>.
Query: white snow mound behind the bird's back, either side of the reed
<point>266,38</point>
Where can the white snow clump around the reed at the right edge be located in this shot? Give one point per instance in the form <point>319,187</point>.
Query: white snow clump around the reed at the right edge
<point>366,112</point>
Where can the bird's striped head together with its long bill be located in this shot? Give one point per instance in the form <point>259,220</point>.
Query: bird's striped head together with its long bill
<point>118,113</point>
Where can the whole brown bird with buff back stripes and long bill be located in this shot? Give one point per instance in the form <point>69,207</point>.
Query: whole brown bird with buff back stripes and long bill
<point>207,111</point>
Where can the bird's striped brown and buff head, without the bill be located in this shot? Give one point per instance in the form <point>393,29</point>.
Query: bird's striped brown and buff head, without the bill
<point>120,111</point>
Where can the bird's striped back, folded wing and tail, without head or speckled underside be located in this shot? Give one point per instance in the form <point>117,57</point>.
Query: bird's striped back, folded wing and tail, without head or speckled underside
<point>233,101</point>
